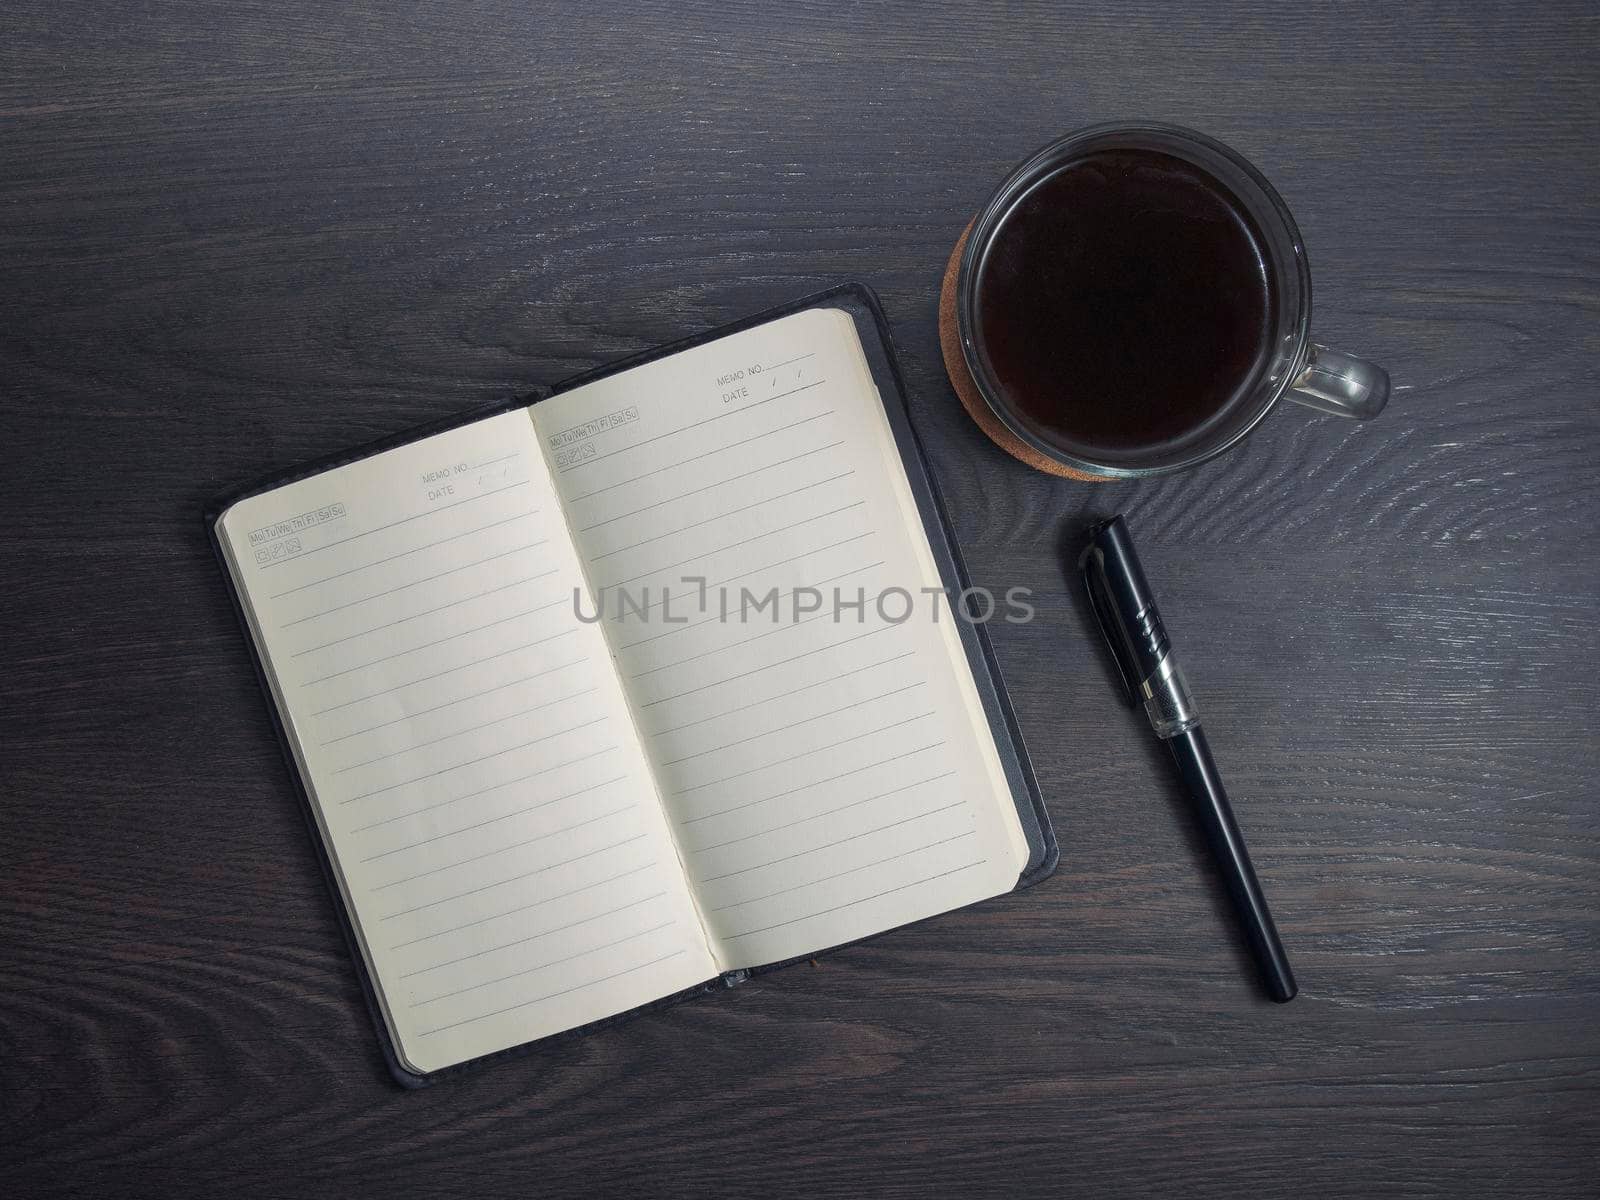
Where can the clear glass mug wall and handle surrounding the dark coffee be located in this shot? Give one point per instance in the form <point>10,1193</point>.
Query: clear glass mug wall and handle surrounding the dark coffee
<point>1292,369</point>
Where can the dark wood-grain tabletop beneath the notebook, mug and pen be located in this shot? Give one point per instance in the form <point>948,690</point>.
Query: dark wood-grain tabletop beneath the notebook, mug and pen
<point>239,236</point>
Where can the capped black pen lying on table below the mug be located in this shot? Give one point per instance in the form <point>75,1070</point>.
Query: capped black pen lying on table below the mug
<point>1129,618</point>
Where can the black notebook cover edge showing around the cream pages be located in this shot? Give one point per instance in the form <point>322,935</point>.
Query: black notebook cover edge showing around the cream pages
<point>863,306</point>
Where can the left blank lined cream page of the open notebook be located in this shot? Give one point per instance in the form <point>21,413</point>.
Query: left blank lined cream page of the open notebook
<point>470,753</point>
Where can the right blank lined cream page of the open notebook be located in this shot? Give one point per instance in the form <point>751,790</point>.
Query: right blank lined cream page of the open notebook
<point>828,772</point>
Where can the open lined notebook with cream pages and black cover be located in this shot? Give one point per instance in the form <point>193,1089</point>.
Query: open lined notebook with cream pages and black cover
<point>594,700</point>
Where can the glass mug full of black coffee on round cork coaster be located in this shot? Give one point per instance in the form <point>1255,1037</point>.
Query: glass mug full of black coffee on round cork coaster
<point>1134,300</point>
